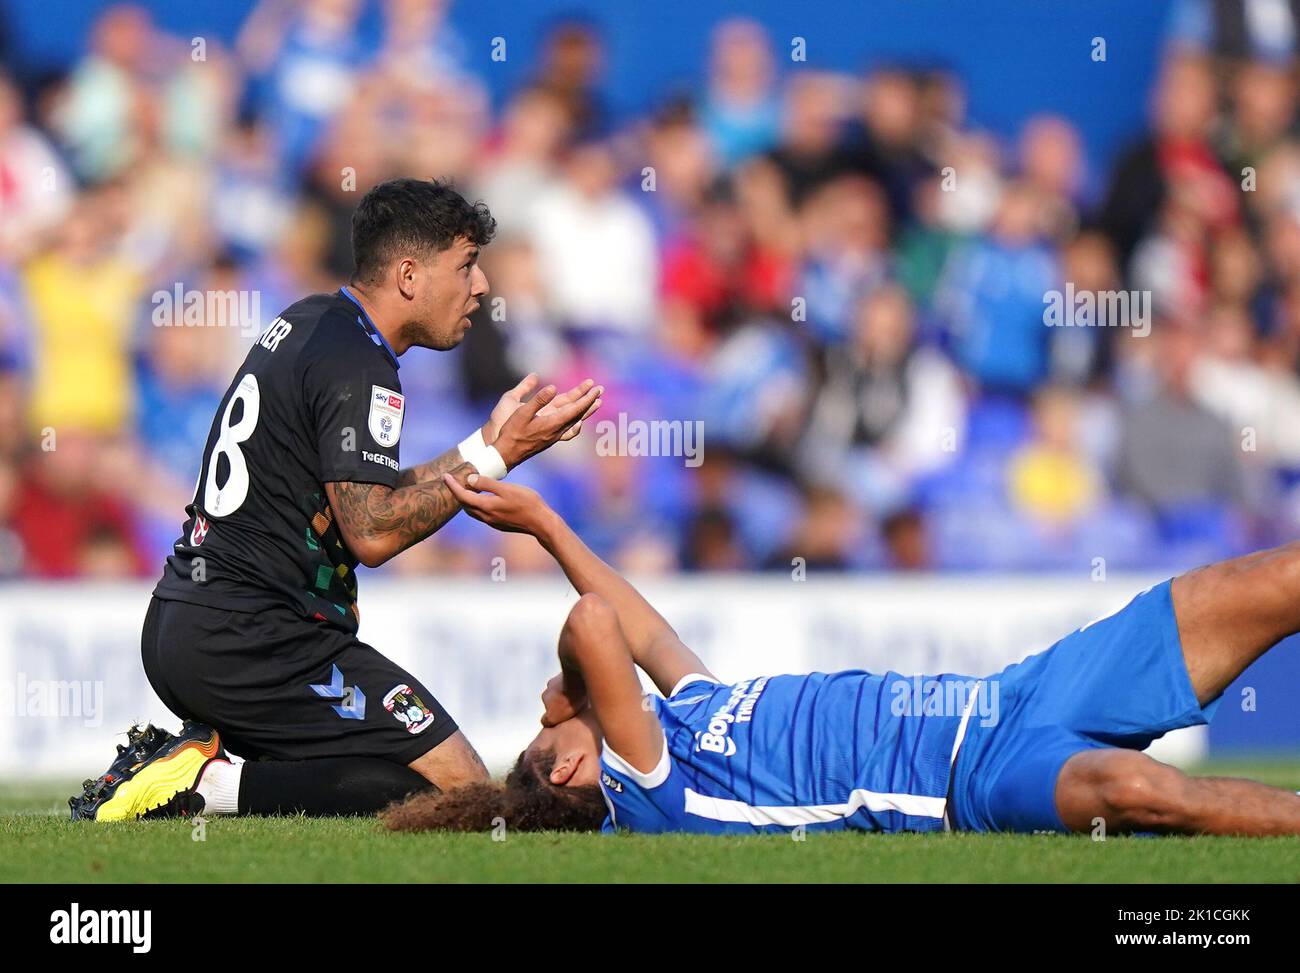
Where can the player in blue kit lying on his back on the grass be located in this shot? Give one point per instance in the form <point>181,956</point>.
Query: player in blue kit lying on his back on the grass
<point>852,750</point>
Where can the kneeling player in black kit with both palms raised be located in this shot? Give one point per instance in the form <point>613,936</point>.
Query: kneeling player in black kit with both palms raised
<point>252,634</point>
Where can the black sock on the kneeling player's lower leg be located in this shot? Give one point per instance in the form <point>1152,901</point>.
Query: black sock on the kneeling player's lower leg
<point>326,788</point>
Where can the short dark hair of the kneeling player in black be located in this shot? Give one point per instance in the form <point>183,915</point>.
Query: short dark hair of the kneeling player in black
<point>413,215</point>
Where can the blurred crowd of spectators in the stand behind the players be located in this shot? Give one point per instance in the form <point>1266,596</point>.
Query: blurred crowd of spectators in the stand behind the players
<point>837,275</point>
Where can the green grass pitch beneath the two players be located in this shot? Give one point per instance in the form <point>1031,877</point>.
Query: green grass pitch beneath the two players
<point>40,845</point>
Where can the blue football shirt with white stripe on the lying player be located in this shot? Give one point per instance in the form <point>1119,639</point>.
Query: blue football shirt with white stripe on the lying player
<point>825,751</point>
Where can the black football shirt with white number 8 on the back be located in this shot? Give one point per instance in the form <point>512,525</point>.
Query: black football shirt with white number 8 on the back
<point>318,400</point>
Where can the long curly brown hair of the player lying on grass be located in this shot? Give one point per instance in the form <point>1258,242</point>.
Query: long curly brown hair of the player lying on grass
<point>527,802</point>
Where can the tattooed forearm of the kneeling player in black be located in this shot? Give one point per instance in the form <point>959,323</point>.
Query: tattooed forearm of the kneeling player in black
<point>380,522</point>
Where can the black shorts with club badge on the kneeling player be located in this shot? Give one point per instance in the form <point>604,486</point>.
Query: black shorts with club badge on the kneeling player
<point>279,686</point>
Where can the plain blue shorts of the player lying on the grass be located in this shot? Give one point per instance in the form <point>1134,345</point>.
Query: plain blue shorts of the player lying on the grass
<point>1120,682</point>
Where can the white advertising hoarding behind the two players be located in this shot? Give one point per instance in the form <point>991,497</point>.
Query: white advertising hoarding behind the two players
<point>72,678</point>
